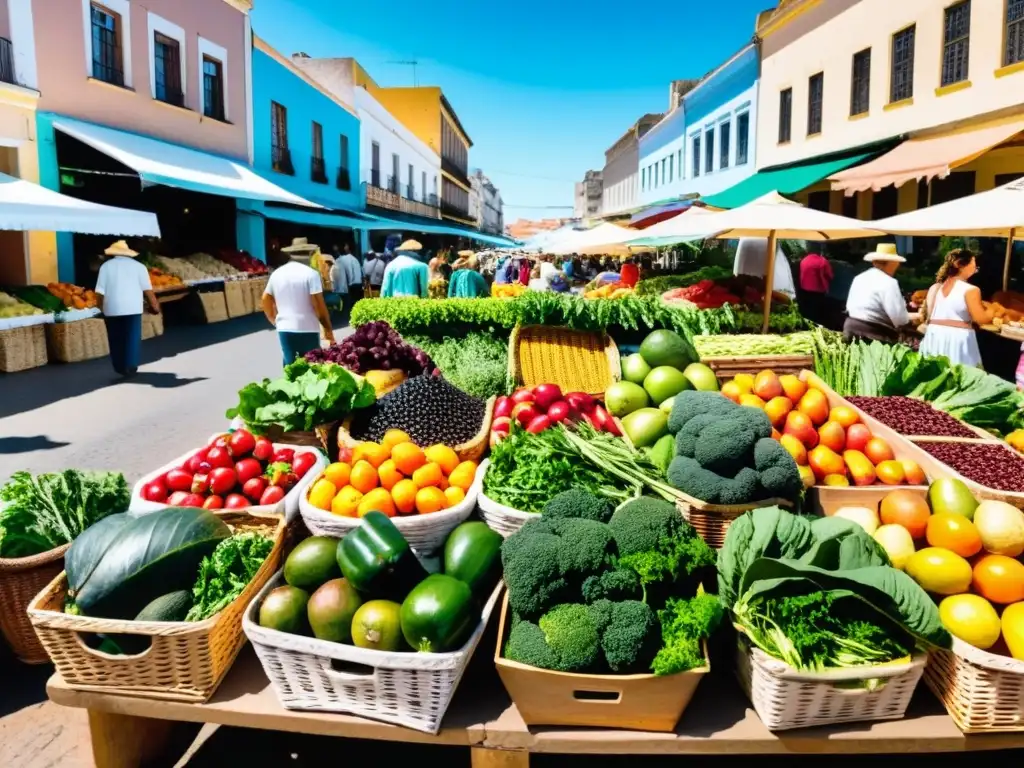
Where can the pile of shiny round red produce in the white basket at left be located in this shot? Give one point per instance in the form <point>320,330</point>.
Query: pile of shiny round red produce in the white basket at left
<point>235,472</point>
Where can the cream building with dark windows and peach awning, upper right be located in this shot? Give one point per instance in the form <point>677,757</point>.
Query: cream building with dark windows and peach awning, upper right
<point>942,79</point>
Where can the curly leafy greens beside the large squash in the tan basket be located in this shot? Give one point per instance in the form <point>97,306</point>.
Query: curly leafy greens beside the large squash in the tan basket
<point>225,575</point>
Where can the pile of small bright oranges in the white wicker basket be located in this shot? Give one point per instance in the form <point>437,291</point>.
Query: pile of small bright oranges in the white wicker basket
<point>397,478</point>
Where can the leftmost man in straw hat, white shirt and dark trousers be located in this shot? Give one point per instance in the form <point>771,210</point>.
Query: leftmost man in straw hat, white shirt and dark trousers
<point>121,285</point>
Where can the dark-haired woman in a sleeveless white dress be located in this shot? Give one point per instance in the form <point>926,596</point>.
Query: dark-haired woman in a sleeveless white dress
<point>953,310</point>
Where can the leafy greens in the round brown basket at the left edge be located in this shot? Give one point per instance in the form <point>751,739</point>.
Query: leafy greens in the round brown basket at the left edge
<point>47,511</point>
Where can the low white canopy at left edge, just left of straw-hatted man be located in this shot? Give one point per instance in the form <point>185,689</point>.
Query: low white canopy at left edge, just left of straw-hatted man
<point>27,206</point>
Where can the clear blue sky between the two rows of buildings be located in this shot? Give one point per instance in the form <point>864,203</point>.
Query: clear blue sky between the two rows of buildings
<point>543,88</point>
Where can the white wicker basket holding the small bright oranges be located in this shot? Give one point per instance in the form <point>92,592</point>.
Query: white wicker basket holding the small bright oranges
<point>425,534</point>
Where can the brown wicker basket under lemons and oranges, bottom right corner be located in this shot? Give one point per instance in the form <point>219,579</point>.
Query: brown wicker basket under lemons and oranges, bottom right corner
<point>983,693</point>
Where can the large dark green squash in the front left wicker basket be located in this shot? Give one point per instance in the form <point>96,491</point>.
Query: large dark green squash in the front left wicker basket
<point>150,556</point>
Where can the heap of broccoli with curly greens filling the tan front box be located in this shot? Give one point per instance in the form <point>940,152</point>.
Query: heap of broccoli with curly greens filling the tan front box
<point>603,591</point>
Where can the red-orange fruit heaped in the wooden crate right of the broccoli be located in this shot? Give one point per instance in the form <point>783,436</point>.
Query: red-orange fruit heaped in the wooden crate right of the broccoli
<point>831,446</point>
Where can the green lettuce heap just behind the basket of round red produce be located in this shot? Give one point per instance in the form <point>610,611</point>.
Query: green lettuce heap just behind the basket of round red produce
<point>310,395</point>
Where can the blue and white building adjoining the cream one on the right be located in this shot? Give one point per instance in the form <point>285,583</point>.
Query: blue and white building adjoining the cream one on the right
<point>707,144</point>
